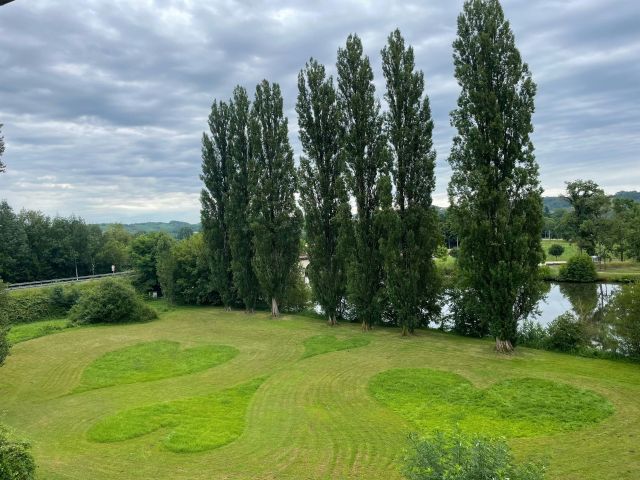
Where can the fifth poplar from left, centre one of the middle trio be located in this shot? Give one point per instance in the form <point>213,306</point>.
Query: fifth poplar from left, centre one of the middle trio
<point>364,148</point>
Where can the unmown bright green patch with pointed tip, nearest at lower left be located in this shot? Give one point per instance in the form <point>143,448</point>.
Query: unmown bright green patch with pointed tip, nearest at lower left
<point>194,424</point>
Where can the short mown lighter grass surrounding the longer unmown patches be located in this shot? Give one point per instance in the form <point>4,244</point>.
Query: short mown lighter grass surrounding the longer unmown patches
<point>312,418</point>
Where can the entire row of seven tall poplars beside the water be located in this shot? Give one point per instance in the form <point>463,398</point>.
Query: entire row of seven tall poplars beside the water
<point>365,184</point>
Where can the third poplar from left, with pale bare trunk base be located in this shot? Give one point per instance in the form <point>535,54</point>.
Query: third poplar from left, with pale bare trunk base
<point>275,218</point>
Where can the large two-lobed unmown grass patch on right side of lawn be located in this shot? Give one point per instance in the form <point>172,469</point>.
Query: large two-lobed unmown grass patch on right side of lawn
<point>523,407</point>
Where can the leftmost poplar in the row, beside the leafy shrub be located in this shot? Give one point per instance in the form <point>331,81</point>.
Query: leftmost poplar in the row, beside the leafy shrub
<point>214,199</point>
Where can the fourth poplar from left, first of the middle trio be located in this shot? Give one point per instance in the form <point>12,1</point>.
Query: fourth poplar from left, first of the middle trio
<point>322,190</point>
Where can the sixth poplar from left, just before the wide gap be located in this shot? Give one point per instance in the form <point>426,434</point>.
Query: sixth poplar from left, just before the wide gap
<point>412,234</point>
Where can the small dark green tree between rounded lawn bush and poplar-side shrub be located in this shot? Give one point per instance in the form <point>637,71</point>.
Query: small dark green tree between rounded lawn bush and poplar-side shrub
<point>145,251</point>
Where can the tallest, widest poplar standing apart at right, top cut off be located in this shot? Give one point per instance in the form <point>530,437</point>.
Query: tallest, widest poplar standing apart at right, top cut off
<point>494,190</point>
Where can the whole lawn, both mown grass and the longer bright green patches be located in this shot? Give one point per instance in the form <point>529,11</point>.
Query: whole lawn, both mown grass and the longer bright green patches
<point>234,396</point>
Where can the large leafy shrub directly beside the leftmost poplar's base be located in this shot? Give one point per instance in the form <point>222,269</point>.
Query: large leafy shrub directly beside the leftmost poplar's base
<point>183,271</point>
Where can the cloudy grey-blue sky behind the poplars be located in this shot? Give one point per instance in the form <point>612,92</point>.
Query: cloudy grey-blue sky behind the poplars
<point>104,102</point>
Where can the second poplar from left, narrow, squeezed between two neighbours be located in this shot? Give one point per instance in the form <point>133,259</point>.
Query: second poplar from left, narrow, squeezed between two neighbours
<point>240,234</point>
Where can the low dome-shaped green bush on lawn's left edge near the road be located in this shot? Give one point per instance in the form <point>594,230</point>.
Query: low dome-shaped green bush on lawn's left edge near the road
<point>110,301</point>
